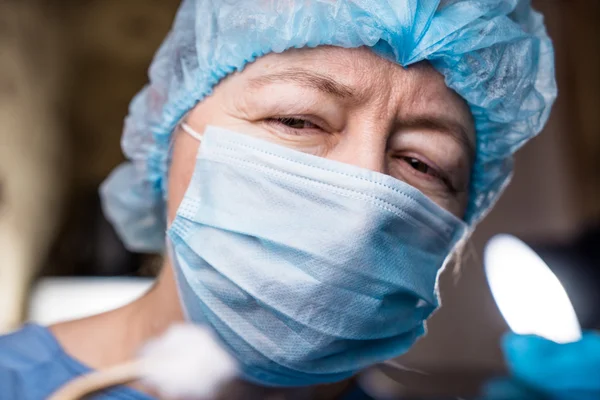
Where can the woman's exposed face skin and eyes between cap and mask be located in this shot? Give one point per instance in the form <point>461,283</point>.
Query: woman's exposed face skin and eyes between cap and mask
<point>348,105</point>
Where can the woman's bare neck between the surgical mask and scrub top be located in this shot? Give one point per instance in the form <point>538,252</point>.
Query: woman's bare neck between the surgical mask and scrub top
<point>115,337</point>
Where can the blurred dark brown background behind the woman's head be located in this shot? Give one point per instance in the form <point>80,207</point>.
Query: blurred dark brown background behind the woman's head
<point>68,70</point>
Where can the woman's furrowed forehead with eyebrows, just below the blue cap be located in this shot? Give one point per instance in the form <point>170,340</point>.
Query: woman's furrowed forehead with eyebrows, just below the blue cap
<point>360,74</point>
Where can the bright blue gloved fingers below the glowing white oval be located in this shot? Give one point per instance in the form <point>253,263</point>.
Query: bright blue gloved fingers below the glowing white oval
<point>543,369</point>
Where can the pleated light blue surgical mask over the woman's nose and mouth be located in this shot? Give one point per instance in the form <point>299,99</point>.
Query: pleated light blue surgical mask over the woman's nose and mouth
<point>308,269</point>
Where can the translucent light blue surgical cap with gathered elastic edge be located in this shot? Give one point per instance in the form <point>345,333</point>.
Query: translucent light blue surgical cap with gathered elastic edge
<point>496,54</point>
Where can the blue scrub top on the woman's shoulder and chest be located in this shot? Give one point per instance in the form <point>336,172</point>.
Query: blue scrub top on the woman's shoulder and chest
<point>33,365</point>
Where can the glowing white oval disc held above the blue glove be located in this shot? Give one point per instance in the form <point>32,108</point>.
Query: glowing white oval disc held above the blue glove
<point>528,294</point>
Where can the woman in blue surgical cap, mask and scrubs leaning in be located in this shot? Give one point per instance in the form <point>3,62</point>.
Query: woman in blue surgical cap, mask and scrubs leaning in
<point>315,164</point>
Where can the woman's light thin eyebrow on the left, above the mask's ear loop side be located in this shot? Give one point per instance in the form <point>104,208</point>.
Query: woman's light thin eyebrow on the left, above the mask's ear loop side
<point>308,79</point>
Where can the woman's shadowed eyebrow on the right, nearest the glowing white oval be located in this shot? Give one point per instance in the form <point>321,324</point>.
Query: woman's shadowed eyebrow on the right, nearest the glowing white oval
<point>445,125</point>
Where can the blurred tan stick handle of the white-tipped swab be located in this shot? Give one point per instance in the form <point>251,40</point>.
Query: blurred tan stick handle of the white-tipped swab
<point>95,381</point>
